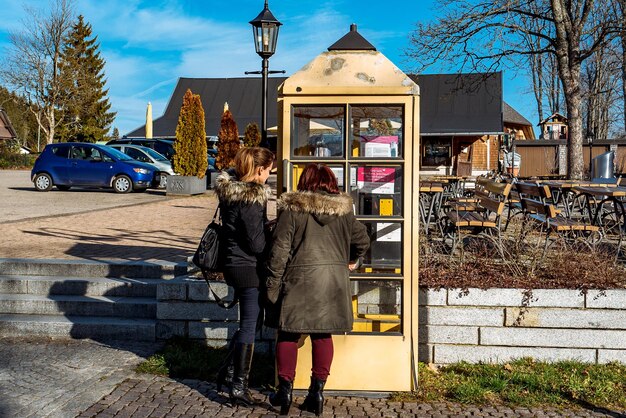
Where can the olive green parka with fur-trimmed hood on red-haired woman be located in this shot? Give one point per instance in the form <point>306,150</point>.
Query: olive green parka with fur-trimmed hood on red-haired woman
<point>315,238</point>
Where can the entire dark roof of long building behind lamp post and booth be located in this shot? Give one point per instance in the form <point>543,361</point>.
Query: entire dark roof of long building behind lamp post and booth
<point>451,104</point>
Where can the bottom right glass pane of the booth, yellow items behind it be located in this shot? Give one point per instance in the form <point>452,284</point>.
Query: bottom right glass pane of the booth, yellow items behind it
<point>377,305</point>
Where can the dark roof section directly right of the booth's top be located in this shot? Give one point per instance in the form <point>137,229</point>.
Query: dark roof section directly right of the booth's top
<point>460,104</point>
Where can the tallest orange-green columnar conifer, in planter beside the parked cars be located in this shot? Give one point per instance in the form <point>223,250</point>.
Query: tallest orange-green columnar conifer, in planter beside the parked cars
<point>190,151</point>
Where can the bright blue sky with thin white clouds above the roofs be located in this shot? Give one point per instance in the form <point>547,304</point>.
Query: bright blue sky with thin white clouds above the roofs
<point>148,45</point>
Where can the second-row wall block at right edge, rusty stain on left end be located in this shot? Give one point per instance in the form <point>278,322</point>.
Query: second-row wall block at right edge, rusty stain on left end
<point>566,318</point>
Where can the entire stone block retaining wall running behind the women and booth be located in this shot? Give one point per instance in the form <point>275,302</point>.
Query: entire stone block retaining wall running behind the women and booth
<point>494,325</point>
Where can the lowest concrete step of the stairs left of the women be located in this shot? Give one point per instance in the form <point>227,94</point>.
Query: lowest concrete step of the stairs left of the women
<point>97,328</point>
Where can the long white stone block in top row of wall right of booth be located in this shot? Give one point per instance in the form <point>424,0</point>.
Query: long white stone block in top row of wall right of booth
<point>561,298</point>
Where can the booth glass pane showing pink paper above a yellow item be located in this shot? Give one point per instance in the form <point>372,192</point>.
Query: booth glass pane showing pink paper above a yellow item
<point>376,190</point>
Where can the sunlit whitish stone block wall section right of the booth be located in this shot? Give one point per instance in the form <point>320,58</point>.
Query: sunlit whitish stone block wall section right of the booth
<point>498,325</point>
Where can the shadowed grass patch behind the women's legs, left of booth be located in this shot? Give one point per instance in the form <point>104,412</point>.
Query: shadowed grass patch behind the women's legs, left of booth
<point>186,359</point>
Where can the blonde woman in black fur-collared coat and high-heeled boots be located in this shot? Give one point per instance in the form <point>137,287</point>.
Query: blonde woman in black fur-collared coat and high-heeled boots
<point>243,200</point>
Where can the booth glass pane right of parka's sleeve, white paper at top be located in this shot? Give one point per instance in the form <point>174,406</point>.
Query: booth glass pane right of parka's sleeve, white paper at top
<point>385,252</point>
